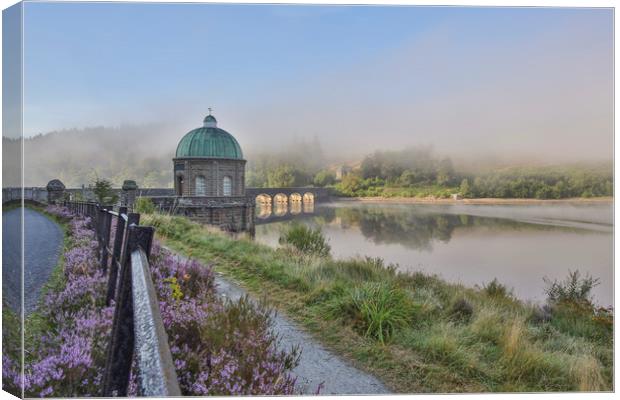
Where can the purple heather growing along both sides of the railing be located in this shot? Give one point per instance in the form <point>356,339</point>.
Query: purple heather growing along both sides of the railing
<point>218,348</point>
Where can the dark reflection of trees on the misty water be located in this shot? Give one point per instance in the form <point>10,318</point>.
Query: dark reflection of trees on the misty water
<point>417,230</point>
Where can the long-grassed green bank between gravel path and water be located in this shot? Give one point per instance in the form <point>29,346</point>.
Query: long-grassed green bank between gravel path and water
<point>415,331</point>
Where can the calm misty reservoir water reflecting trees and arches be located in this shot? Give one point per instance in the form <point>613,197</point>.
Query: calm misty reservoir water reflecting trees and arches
<point>471,244</point>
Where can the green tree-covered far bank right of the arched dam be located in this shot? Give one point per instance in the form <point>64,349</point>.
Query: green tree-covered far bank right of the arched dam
<point>417,172</point>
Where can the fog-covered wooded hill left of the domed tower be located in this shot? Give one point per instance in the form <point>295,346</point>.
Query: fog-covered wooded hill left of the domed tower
<point>76,156</point>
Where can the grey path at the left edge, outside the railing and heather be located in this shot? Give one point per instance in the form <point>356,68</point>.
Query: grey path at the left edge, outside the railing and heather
<point>43,241</point>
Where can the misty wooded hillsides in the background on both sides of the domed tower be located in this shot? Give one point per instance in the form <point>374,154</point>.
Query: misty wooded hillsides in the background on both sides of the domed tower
<point>144,154</point>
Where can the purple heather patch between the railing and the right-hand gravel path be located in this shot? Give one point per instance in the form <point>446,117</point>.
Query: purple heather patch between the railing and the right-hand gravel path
<point>218,348</point>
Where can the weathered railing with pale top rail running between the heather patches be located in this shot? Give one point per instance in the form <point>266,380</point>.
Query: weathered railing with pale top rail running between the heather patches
<point>137,329</point>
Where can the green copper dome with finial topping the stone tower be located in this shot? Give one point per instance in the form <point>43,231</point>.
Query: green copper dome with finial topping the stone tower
<point>209,142</point>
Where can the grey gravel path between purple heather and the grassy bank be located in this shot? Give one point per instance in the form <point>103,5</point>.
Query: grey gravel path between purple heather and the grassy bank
<point>317,365</point>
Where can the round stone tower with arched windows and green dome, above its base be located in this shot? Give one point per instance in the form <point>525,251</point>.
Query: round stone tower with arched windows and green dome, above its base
<point>209,162</point>
